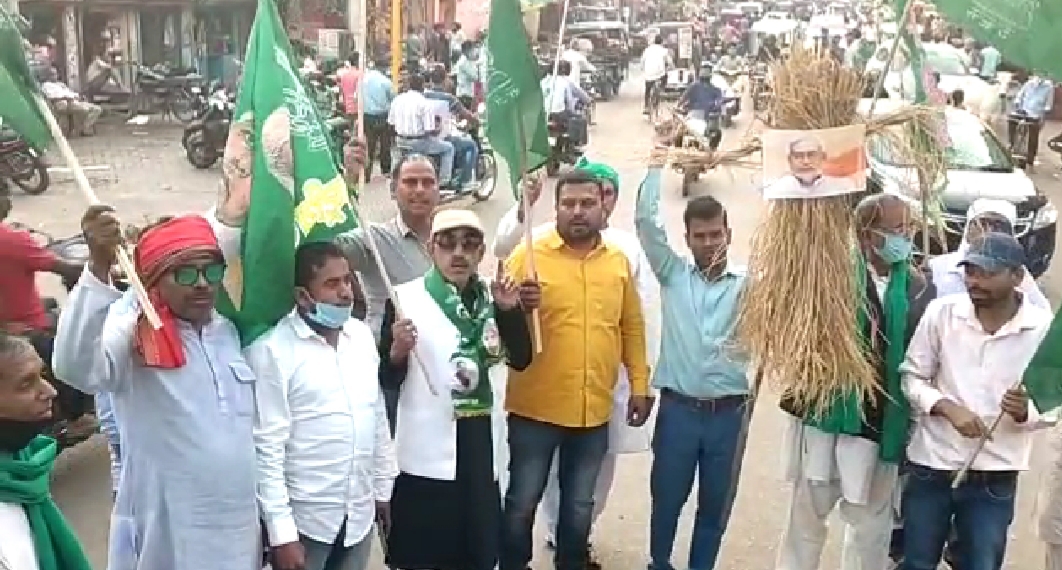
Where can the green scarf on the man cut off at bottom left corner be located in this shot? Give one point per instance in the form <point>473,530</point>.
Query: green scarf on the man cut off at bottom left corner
<point>25,480</point>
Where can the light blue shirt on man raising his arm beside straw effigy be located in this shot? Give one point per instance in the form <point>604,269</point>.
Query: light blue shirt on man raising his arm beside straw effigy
<point>698,358</point>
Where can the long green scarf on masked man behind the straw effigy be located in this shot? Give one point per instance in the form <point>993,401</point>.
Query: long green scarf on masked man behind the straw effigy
<point>846,414</point>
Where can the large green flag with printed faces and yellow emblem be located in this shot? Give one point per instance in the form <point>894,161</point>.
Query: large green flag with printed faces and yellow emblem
<point>280,158</point>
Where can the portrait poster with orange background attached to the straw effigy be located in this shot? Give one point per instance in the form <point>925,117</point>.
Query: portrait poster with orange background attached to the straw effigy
<point>814,164</point>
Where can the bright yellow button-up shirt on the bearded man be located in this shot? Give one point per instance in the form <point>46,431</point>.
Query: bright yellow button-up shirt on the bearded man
<point>591,319</point>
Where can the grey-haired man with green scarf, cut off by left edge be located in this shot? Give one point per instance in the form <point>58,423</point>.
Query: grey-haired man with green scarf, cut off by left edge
<point>36,534</point>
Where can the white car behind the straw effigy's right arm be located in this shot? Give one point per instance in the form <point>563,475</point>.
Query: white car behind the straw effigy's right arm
<point>979,166</point>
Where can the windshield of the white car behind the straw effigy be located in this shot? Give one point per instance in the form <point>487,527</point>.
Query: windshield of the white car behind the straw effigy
<point>972,147</point>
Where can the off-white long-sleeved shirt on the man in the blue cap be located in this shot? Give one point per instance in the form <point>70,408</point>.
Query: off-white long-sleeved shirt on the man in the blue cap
<point>952,357</point>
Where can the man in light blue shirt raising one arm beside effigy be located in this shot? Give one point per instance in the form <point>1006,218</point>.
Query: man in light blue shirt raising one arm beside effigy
<point>701,378</point>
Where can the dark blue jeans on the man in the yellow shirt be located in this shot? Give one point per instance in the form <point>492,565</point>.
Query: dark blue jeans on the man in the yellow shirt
<point>532,447</point>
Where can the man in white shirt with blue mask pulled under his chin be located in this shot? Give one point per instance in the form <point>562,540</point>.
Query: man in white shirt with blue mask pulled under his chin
<point>327,462</point>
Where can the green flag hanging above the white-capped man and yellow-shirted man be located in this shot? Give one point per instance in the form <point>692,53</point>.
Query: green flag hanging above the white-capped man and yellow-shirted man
<point>516,115</point>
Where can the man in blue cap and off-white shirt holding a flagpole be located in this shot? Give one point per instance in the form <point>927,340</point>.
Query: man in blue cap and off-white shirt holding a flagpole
<point>963,371</point>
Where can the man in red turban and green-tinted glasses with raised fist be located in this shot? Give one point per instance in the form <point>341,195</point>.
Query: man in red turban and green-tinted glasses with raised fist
<point>183,393</point>
